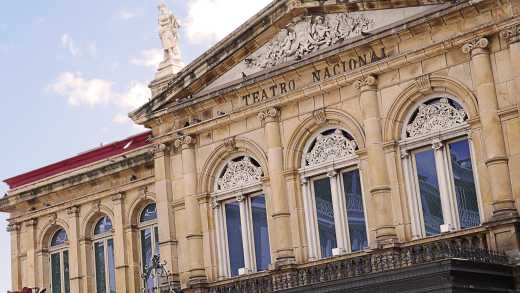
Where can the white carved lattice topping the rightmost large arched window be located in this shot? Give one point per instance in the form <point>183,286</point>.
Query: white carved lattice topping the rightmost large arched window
<point>435,117</point>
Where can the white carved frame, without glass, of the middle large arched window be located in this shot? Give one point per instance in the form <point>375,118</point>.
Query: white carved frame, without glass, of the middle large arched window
<point>333,168</point>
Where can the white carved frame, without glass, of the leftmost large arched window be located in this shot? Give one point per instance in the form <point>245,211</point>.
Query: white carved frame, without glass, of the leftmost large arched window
<point>240,180</point>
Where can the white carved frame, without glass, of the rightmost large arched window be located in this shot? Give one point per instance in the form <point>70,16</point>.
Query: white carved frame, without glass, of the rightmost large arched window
<point>438,140</point>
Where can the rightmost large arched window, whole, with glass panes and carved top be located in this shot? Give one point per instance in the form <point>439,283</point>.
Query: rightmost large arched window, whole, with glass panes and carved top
<point>439,168</point>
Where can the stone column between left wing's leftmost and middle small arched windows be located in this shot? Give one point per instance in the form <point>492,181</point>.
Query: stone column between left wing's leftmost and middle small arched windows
<point>74,250</point>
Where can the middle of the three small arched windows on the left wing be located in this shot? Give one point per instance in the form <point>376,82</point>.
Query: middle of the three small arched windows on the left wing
<point>104,256</point>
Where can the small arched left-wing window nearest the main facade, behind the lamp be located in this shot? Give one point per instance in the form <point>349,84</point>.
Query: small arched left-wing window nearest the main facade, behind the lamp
<point>149,240</point>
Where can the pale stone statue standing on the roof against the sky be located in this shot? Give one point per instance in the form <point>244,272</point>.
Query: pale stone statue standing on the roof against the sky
<point>169,32</point>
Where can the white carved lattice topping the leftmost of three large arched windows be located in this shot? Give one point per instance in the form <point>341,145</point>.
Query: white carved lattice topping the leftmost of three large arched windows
<point>238,174</point>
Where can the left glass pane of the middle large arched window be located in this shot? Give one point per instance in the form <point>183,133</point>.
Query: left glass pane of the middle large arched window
<point>325,216</point>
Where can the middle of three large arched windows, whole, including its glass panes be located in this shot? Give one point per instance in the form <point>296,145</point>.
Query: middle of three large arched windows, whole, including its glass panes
<point>333,197</point>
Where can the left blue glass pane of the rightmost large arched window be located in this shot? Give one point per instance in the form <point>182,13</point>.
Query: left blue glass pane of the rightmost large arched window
<point>429,190</point>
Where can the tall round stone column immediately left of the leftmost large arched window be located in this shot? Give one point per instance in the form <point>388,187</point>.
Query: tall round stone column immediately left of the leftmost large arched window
<point>196,273</point>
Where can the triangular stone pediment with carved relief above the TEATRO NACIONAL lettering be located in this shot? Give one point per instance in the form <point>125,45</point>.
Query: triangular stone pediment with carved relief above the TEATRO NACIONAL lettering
<point>282,33</point>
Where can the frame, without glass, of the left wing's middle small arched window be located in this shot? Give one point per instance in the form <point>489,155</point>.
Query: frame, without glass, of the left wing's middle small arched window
<point>103,238</point>
